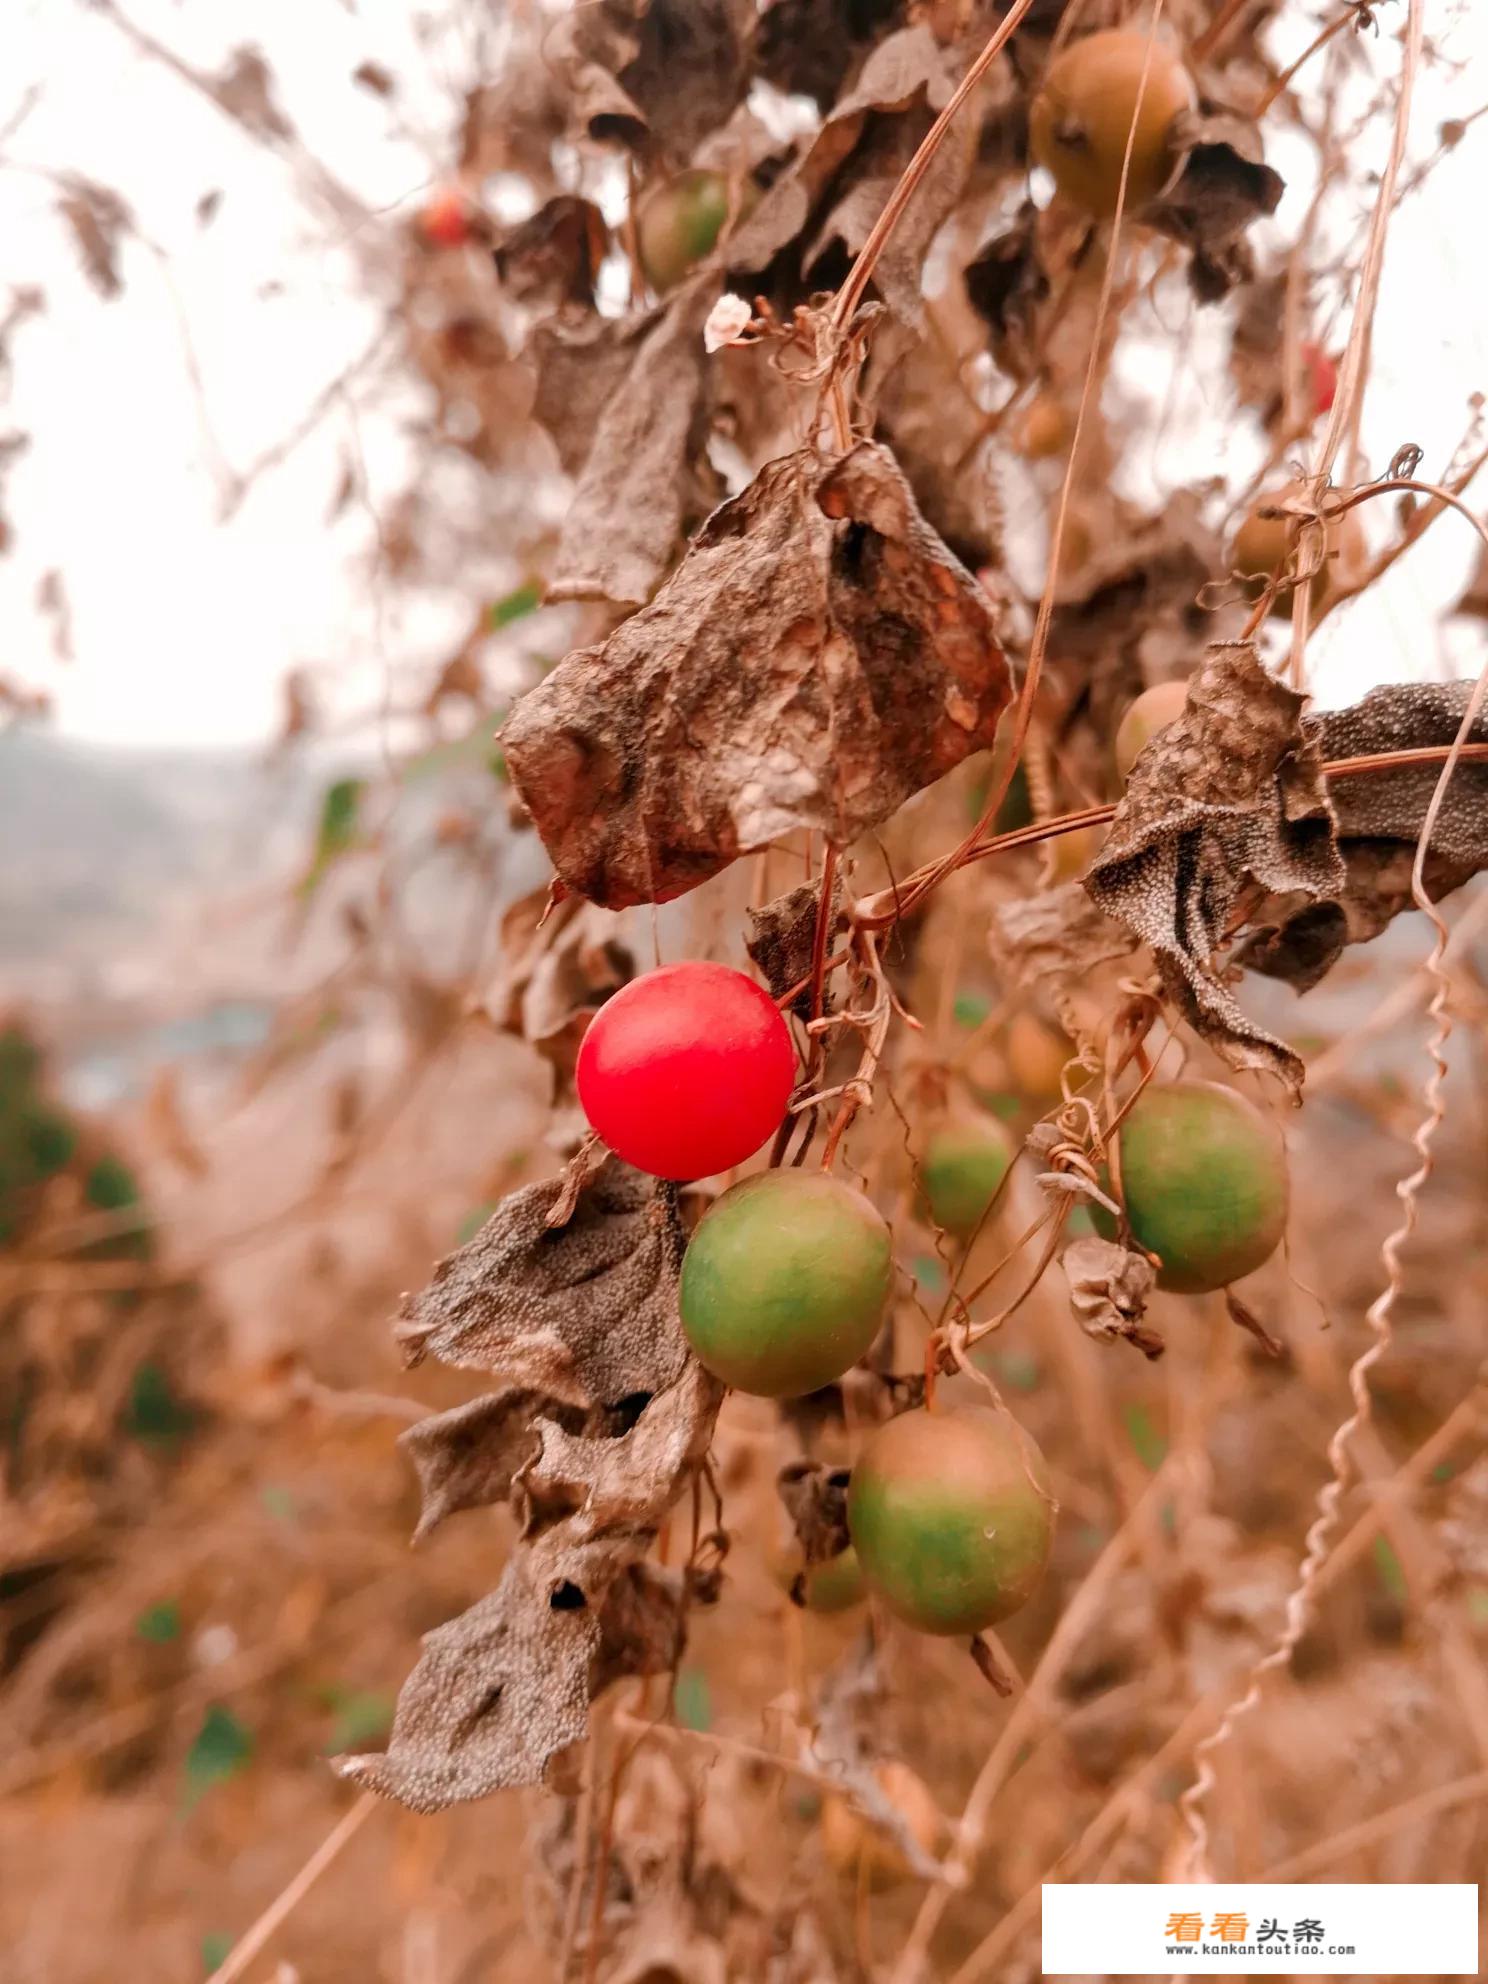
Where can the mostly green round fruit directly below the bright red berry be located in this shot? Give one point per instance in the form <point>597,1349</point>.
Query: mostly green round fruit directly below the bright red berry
<point>785,1283</point>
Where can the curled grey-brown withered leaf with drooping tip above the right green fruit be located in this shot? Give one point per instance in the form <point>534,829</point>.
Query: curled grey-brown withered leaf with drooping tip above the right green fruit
<point>1227,797</point>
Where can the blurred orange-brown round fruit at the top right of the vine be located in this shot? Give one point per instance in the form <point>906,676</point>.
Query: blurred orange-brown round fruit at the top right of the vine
<point>1086,108</point>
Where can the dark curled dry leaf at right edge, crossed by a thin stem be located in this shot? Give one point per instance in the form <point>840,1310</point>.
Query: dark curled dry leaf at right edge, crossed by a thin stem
<point>1380,818</point>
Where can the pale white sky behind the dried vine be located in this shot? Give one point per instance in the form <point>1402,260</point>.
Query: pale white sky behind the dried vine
<point>184,626</point>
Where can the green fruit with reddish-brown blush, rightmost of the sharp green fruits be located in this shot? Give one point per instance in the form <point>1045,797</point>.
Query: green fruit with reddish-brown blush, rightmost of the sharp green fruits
<point>1203,1176</point>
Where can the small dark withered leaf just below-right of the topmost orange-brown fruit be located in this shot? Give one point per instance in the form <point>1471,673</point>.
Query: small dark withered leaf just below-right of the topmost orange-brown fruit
<point>1223,187</point>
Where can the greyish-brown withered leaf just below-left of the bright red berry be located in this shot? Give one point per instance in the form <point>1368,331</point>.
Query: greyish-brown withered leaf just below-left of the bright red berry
<point>586,1312</point>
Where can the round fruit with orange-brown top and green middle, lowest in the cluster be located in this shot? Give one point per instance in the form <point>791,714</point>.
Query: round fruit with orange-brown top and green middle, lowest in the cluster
<point>949,1519</point>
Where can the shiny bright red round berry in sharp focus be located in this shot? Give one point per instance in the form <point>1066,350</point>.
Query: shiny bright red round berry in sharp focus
<point>687,1070</point>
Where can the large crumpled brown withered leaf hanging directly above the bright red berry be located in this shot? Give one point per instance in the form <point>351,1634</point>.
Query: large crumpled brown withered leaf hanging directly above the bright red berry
<point>816,660</point>
